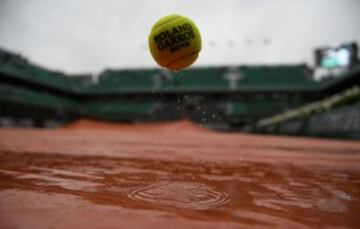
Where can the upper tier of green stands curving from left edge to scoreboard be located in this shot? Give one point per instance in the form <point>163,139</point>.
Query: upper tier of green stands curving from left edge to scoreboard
<point>240,78</point>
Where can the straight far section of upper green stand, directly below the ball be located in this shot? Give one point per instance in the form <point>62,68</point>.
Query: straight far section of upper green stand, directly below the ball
<point>206,79</point>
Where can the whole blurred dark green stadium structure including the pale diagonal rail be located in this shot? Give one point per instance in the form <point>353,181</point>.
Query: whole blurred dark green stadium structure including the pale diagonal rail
<point>282,99</point>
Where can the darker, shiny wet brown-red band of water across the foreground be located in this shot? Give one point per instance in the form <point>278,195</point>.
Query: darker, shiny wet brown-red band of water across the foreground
<point>251,193</point>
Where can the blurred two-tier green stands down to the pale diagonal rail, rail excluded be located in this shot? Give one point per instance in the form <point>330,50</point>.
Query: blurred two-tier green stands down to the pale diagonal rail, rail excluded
<point>237,95</point>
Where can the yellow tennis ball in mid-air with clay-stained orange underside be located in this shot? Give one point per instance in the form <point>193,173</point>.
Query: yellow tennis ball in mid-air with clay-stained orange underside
<point>174,42</point>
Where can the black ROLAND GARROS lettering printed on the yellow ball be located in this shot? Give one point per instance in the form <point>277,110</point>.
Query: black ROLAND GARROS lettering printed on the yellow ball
<point>176,38</point>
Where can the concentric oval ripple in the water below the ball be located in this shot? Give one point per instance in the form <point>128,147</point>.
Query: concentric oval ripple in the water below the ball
<point>181,194</point>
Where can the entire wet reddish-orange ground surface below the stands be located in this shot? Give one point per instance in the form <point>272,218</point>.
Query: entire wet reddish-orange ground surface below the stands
<point>97,175</point>
